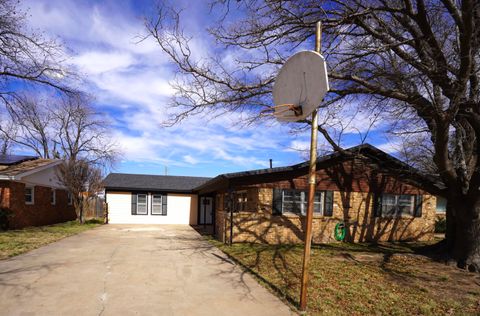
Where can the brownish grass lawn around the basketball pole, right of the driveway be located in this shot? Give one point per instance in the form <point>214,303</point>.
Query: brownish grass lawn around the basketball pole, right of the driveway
<point>362,279</point>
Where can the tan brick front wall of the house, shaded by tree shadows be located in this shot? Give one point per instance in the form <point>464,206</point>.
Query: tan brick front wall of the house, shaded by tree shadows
<point>353,206</point>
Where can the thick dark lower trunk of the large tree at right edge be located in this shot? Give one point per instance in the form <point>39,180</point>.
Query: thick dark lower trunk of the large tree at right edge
<point>466,241</point>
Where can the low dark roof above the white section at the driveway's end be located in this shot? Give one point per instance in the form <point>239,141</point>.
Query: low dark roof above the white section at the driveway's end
<point>124,181</point>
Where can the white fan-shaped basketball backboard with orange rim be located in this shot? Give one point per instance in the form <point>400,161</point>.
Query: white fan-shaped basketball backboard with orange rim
<point>302,81</point>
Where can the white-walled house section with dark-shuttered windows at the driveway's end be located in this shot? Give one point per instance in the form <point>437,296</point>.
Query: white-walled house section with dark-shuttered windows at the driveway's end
<point>150,199</point>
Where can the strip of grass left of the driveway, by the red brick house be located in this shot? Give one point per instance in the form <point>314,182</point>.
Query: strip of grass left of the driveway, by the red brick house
<point>15,242</point>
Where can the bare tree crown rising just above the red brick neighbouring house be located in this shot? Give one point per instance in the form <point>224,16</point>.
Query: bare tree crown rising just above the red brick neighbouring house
<point>60,127</point>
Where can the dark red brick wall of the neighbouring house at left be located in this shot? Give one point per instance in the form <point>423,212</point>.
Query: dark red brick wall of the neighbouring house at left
<point>42,212</point>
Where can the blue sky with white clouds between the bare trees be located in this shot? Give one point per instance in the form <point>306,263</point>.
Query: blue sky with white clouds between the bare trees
<point>130,81</point>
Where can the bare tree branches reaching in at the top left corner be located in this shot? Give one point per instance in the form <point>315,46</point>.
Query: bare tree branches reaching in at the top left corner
<point>27,57</point>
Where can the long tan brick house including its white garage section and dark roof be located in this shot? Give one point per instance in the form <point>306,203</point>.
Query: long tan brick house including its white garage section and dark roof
<point>379,198</point>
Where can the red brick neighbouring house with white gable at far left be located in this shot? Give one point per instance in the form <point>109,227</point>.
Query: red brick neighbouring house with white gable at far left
<point>31,194</point>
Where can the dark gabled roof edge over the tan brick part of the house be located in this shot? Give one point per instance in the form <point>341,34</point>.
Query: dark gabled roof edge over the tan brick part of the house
<point>365,150</point>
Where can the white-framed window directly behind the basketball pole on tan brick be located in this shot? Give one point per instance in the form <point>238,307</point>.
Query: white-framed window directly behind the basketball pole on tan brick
<point>296,201</point>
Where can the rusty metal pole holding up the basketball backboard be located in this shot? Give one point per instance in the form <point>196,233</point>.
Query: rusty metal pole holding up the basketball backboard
<point>311,190</point>
